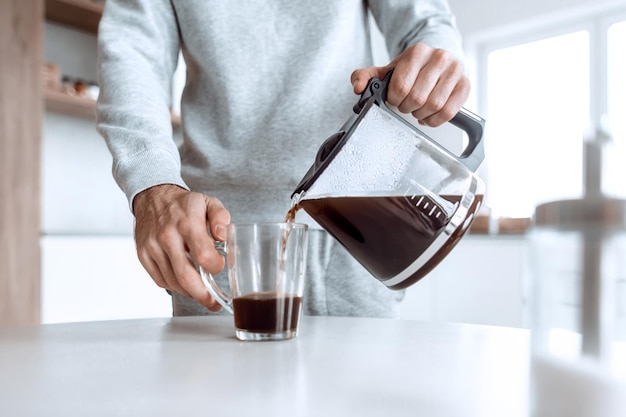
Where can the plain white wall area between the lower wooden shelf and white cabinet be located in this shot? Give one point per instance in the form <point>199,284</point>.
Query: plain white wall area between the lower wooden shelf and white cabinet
<point>79,195</point>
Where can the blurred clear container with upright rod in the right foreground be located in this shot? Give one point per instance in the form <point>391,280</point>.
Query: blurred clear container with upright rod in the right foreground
<point>578,301</point>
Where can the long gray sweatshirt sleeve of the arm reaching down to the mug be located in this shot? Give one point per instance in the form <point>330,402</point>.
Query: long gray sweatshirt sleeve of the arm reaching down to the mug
<point>138,49</point>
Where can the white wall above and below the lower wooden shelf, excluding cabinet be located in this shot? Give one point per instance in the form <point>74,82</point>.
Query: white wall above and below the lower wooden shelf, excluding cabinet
<point>79,195</point>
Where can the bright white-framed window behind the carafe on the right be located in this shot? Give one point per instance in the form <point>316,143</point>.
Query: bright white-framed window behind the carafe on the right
<point>541,93</point>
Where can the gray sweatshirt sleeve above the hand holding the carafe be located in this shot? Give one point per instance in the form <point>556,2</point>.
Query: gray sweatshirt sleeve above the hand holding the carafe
<point>407,22</point>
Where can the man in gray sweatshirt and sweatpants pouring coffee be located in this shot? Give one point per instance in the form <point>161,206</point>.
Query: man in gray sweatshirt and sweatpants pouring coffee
<point>267,82</point>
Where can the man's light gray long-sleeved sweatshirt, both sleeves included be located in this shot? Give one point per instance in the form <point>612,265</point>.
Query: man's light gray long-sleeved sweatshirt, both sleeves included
<point>267,82</point>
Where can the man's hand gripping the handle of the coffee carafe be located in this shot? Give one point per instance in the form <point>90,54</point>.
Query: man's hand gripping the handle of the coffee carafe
<point>428,83</point>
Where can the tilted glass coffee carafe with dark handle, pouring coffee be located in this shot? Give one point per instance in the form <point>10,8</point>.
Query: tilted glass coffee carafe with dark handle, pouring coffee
<point>396,199</point>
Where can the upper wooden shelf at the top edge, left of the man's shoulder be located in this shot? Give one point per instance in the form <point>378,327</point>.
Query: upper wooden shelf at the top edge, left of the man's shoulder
<point>80,14</point>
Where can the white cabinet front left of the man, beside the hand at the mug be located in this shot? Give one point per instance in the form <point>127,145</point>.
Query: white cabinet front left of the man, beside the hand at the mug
<point>96,278</point>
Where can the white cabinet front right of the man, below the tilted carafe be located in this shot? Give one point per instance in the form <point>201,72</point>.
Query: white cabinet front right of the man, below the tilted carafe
<point>481,281</point>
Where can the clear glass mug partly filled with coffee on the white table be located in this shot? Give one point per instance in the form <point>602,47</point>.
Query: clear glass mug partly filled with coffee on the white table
<point>266,265</point>
